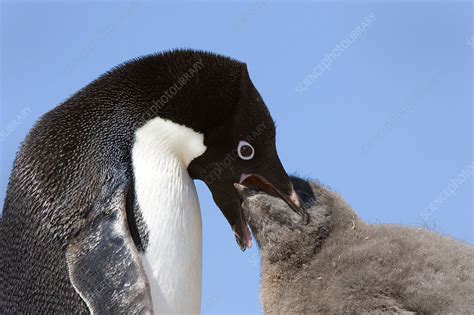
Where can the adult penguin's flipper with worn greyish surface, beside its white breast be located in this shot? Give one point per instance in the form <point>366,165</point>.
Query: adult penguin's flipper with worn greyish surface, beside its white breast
<point>104,265</point>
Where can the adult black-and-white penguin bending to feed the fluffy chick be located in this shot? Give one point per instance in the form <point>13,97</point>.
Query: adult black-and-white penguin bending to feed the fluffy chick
<point>101,213</point>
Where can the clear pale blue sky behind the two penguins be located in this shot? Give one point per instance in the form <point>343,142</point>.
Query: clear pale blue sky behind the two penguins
<point>387,124</point>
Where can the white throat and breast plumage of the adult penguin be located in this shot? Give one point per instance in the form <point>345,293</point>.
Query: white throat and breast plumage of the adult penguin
<point>167,199</point>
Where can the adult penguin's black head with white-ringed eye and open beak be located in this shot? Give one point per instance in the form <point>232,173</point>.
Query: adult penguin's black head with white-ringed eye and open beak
<point>242,149</point>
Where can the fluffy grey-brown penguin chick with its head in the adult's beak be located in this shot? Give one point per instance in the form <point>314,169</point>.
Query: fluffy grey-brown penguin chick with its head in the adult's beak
<point>338,264</point>
